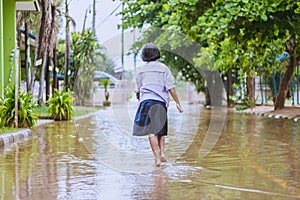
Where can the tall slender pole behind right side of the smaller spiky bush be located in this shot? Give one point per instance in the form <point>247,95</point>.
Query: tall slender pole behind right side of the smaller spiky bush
<point>67,55</point>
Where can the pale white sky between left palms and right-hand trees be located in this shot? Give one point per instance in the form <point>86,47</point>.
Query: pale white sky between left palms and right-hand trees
<point>107,31</point>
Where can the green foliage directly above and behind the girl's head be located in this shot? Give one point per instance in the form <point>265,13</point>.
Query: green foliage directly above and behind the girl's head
<point>168,33</point>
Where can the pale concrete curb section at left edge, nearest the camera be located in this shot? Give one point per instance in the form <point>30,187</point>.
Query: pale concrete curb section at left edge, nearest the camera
<point>17,136</point>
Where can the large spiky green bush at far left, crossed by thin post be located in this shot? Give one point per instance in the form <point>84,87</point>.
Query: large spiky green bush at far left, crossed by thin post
<point>27,116</point>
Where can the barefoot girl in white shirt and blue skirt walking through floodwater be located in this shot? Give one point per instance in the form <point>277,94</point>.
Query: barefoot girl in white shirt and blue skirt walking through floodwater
<point>154,84</point>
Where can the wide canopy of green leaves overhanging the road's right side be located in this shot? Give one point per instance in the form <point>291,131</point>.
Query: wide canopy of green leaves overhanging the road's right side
<point>236,36</point>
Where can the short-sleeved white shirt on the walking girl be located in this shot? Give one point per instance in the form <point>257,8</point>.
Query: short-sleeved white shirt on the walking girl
<point>154,79</point>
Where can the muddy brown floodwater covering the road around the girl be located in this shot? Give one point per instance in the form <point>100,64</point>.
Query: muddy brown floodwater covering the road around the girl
<point>211,155</point>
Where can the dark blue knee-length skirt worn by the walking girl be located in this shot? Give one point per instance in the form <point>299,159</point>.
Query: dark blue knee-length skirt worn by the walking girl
<point>151,118</point>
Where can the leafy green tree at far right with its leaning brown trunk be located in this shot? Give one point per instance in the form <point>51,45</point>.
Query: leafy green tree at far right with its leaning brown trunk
<point>255,25</point>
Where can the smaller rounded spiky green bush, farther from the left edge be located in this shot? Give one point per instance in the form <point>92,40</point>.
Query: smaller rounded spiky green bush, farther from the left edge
<point>61,105</point>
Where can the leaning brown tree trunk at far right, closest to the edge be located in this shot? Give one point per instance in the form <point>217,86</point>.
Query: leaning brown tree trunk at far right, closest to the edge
<point>283,90</point>
